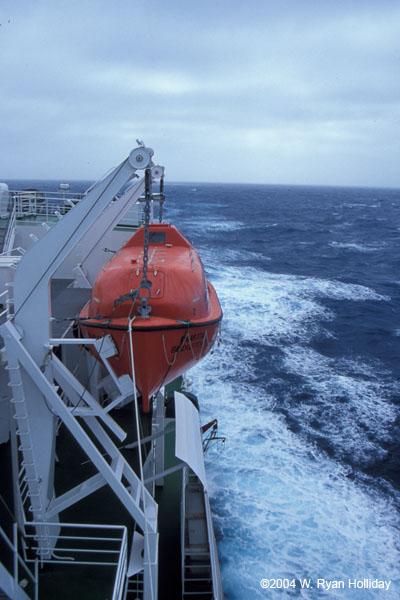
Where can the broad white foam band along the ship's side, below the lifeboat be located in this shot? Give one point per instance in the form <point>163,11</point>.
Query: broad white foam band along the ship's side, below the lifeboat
<point>282,508</point>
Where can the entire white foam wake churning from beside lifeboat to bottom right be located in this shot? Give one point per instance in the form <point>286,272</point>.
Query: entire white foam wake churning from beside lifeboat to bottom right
<point>281,507</point>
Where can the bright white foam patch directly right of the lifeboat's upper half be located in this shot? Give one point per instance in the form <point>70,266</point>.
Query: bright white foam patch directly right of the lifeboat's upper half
<point>277,307</point>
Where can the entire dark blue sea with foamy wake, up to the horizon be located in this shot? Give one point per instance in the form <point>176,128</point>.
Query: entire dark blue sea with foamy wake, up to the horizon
<point>305,385</point>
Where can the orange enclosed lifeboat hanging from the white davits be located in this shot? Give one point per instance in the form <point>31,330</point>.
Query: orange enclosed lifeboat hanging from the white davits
<point>183,317</point>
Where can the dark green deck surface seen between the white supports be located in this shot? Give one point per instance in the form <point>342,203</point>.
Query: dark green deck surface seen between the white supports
<point>102,507</point>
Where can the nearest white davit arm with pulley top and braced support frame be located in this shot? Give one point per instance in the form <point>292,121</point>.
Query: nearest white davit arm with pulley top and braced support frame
<point>37,377</point>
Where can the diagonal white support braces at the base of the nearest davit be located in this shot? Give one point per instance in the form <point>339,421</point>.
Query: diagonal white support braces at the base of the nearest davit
<point>113,469</point>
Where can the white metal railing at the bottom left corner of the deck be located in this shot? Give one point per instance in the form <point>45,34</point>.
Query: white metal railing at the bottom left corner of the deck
<point>103,546</point>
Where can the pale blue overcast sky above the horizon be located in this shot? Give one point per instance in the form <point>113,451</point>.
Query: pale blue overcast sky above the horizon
<point>252,91</point>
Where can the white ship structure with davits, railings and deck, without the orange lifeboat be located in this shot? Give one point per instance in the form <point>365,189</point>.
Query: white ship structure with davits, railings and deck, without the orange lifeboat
<point>68,404</point>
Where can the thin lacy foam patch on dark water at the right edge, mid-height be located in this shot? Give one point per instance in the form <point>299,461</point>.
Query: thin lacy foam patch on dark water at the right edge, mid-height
<point>350,404</point>
